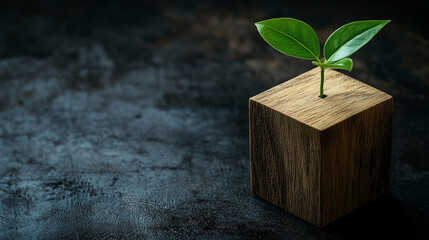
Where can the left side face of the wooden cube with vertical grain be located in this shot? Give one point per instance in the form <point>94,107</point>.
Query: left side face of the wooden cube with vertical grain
<point>285,162</point>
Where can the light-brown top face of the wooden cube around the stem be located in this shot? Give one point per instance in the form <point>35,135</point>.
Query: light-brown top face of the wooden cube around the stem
<point>299,98</point>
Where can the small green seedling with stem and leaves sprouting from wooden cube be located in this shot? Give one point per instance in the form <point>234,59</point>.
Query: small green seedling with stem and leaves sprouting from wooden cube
<point>297,39</point>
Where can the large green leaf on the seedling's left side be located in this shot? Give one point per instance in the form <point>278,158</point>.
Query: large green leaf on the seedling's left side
<point>291,37</point>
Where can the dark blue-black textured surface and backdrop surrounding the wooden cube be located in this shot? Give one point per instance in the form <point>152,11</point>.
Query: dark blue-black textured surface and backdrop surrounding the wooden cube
<point>129,120</point>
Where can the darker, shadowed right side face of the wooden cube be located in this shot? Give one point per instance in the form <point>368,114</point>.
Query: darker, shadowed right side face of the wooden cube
<point>356,158</point>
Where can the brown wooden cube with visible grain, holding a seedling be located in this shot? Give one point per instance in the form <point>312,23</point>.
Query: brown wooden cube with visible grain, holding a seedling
<point>320,159</point>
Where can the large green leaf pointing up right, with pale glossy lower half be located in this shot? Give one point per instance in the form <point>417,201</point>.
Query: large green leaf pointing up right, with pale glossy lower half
<point>347,39</point>
